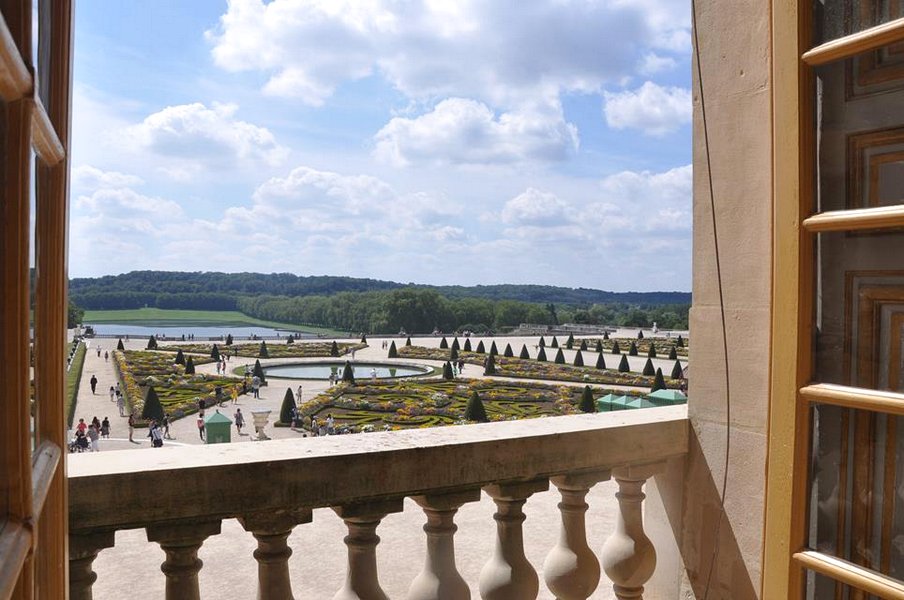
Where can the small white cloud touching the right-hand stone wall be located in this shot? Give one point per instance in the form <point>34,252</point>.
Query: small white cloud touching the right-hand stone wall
<point>655,110</point>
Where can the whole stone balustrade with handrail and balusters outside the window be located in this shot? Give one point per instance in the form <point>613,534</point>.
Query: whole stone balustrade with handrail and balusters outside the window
<point>180,496</point>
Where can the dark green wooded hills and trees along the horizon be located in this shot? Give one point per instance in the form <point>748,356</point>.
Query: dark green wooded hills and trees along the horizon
<point>374,306</point>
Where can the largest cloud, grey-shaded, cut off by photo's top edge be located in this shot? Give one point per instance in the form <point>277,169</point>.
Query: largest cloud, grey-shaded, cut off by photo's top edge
<point>498,52</point>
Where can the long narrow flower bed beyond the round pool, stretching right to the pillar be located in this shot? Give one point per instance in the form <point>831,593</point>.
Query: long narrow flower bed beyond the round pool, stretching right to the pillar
<point>534,369</point>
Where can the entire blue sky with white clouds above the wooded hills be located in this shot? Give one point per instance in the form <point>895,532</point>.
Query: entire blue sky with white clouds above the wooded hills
<point>433,141</point>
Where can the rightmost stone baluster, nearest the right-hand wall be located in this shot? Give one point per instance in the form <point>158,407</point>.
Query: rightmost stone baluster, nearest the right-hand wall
<point>628,556</point>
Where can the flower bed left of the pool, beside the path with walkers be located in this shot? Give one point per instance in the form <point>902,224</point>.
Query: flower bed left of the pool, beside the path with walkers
<point>177,391</point>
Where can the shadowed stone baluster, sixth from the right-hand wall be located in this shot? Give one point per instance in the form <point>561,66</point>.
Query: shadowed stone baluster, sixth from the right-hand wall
<point>271,530</point>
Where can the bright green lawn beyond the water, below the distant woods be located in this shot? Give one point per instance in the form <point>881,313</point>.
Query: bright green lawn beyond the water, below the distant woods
<point>158,317</point>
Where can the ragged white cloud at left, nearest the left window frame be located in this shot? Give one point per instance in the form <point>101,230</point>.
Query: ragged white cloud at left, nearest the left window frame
<point>196,135</point>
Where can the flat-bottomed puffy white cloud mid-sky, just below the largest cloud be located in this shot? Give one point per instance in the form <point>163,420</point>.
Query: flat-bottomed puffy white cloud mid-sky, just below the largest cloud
<point>461,131</point>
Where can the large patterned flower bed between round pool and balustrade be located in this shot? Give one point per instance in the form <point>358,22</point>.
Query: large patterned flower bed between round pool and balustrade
<point>435,402</point>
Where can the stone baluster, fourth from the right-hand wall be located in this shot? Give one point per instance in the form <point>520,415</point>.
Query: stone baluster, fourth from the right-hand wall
<point>440,580</point>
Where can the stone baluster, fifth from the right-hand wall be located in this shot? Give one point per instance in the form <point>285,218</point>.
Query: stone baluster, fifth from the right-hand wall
<point>361,581</point>
